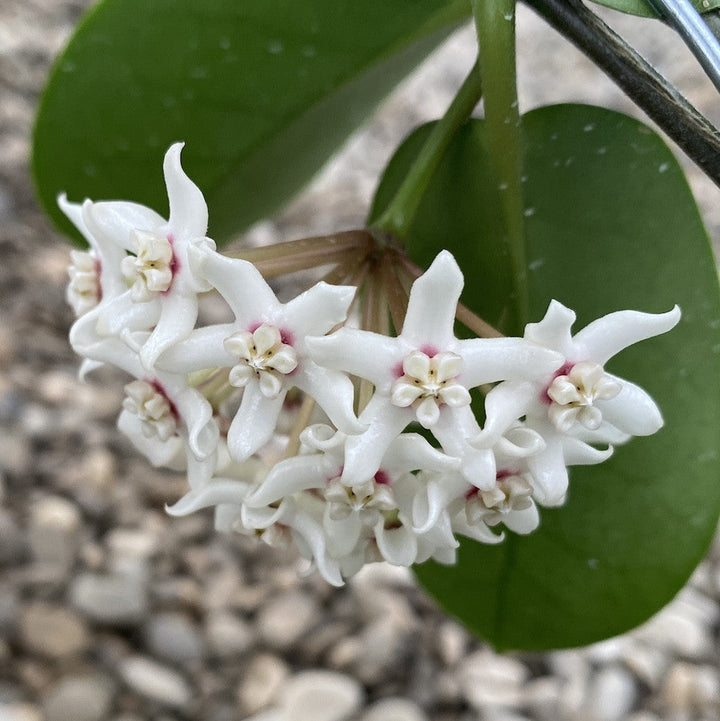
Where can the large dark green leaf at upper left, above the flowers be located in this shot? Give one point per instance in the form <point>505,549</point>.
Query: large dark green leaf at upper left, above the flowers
<point>262,91</point>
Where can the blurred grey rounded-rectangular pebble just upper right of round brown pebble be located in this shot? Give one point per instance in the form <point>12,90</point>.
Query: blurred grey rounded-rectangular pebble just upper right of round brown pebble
<point>110,600</point>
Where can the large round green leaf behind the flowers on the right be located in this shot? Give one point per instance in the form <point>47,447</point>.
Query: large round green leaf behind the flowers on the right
<point>611,224</point>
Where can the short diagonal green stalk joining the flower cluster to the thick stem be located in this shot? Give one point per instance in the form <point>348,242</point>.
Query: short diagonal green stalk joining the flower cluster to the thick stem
<point>400,213</point>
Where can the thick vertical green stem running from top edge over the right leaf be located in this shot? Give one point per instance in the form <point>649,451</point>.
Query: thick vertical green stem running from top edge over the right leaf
<point>495,26</point>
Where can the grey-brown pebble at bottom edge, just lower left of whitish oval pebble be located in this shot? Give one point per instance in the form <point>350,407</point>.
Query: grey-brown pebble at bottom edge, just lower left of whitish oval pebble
<point>80,698</point>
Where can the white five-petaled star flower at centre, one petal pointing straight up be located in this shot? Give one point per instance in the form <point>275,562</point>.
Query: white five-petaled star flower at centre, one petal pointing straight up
<point>425,375</point>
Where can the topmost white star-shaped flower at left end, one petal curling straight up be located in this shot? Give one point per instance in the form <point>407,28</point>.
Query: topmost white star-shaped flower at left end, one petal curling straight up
<point>147,279</point>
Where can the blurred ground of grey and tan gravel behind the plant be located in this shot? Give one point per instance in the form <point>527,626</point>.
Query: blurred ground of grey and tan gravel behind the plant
<point>109,609</point>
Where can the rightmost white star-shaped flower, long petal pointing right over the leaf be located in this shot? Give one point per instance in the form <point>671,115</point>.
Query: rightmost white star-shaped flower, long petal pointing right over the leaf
<point>580,403</point>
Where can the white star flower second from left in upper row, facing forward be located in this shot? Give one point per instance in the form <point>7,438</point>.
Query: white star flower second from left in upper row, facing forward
<point>266,350</point>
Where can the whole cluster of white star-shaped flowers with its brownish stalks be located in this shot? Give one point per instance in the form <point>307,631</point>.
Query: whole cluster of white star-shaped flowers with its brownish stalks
<point>310,422</point>
